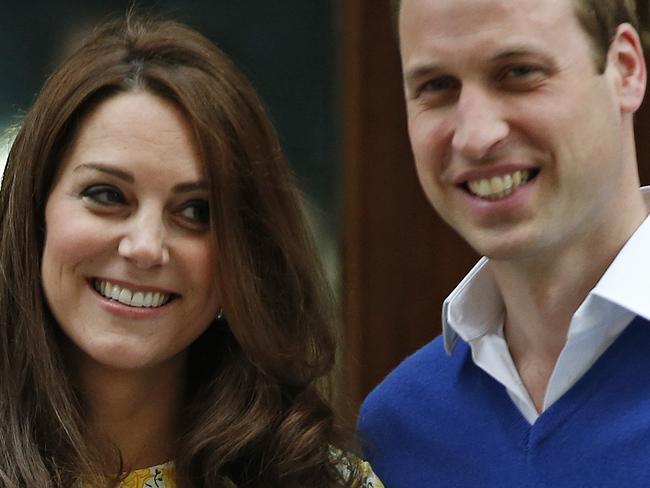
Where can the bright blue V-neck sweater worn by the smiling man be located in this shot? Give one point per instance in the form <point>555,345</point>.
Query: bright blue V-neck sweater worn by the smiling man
<point>440,421</point>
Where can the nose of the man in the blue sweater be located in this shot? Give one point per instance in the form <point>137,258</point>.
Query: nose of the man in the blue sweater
<point>479,124</point>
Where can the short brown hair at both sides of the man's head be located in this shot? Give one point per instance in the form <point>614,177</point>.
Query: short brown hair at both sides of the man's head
<point>598,18</point>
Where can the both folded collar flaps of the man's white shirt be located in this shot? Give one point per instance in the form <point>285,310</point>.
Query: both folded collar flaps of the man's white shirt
<point>475,307</point>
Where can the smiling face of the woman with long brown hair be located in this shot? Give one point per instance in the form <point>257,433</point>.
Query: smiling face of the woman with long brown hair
<point>129,259</point>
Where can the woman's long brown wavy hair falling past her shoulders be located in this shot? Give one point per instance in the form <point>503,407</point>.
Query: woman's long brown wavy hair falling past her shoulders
<point>253,415</point>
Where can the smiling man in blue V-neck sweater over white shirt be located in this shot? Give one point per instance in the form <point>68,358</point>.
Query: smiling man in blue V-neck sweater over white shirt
<point>520,115</point>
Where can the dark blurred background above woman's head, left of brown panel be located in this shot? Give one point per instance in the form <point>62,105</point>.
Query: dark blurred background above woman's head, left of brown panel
<point>289,49</point>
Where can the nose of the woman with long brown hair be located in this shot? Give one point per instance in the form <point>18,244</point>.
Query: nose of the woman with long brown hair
<point>144,242</point>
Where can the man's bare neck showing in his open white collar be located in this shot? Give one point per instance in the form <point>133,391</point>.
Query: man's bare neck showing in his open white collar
<point>542,293</point>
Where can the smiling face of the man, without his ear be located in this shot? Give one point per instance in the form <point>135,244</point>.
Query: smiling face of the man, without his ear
<point>517,139</point>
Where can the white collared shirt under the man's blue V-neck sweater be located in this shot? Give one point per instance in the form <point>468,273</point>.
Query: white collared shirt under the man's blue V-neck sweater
<point>474,311</point>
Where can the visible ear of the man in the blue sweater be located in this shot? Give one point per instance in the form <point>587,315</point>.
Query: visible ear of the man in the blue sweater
<point>625,57</point>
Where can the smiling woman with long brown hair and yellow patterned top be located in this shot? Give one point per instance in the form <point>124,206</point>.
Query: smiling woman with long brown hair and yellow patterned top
<point>164,320</point>
